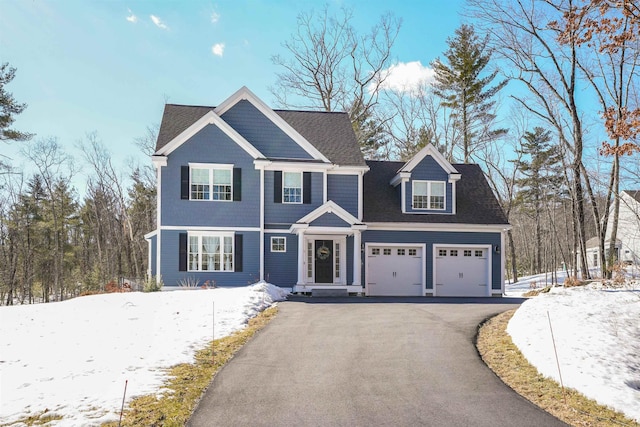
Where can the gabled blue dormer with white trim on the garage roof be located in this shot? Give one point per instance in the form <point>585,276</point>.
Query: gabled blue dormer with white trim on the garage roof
<point>427,184</point>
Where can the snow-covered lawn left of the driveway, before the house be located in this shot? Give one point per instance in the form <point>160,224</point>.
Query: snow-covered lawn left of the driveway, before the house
<point>72,358</point>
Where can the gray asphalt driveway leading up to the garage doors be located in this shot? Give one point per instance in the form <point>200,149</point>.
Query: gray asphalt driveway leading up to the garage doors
<point>367,362</point>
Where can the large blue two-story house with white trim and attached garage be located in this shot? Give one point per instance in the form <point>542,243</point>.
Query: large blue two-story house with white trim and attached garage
<point>248,193</point>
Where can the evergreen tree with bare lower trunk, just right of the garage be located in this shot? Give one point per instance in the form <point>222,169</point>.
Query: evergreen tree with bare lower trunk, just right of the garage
<point>541,180</point>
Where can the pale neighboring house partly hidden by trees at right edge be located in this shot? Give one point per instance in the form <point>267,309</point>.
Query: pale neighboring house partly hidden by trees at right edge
<point>628,234</point>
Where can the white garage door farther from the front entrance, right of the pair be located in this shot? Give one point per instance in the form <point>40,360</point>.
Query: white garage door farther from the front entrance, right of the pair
<point>461,271</point>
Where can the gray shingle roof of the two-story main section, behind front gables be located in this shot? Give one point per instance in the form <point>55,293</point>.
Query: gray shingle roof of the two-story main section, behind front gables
<point>330,133</point>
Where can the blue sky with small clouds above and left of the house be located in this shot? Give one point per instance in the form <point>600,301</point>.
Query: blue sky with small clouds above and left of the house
<point>109,66</point>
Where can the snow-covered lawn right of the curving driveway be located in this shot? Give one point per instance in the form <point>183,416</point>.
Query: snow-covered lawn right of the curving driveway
<point>597,335</point>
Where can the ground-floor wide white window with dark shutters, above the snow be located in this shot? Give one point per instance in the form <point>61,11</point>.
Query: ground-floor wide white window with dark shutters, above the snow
<point>210,252</point>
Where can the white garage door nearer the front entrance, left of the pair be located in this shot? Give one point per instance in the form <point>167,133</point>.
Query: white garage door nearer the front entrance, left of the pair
<point>394,271</point>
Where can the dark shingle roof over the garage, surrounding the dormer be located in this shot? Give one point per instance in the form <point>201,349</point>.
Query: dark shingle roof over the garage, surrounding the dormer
<point>475,203</point>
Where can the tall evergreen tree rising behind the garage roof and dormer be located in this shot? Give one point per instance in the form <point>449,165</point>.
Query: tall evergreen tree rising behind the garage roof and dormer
<point>459,85</point>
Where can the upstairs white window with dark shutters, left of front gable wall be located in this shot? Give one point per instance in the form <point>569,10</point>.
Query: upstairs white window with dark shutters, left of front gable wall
<point>211,182</point>
